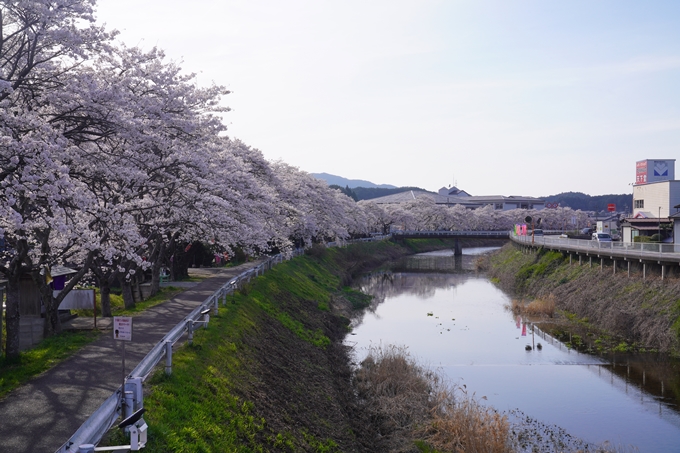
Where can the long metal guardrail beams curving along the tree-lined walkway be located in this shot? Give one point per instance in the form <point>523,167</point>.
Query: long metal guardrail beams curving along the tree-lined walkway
<point>101,421</point>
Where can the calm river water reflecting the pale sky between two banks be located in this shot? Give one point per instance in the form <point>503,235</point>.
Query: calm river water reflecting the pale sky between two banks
<point>456,320</point>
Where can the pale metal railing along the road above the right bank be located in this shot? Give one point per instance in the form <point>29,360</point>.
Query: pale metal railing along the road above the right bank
<point>638,250</point>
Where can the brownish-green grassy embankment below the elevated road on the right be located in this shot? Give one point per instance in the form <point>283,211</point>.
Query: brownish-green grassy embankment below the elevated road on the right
<point>644,314</point>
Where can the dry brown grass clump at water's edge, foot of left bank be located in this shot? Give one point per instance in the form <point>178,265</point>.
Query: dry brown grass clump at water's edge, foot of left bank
<point>409,402</point>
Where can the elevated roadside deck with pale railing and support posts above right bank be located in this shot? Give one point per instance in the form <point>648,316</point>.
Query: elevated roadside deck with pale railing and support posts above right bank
<point>646,256</point>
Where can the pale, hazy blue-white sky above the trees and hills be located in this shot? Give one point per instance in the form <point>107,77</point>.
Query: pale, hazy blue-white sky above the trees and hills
<point>502,97</point>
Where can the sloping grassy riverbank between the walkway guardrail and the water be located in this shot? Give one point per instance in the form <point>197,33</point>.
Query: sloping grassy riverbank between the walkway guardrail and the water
<point>271,373</point>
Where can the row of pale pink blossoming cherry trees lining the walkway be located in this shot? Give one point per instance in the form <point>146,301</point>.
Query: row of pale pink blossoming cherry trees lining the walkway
<point>112,160</point>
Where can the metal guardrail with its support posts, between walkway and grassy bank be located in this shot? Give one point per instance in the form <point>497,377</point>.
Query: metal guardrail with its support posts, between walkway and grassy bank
<point>128,401</point>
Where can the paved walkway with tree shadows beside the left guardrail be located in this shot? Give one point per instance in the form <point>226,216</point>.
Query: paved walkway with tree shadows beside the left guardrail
<point>43,414</point>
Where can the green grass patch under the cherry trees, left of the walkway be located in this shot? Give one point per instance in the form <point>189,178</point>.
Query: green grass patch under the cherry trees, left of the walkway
<point>44,356</point>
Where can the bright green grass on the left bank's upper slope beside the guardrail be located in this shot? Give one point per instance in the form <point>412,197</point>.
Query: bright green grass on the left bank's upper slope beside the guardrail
<point>186,417</point>
